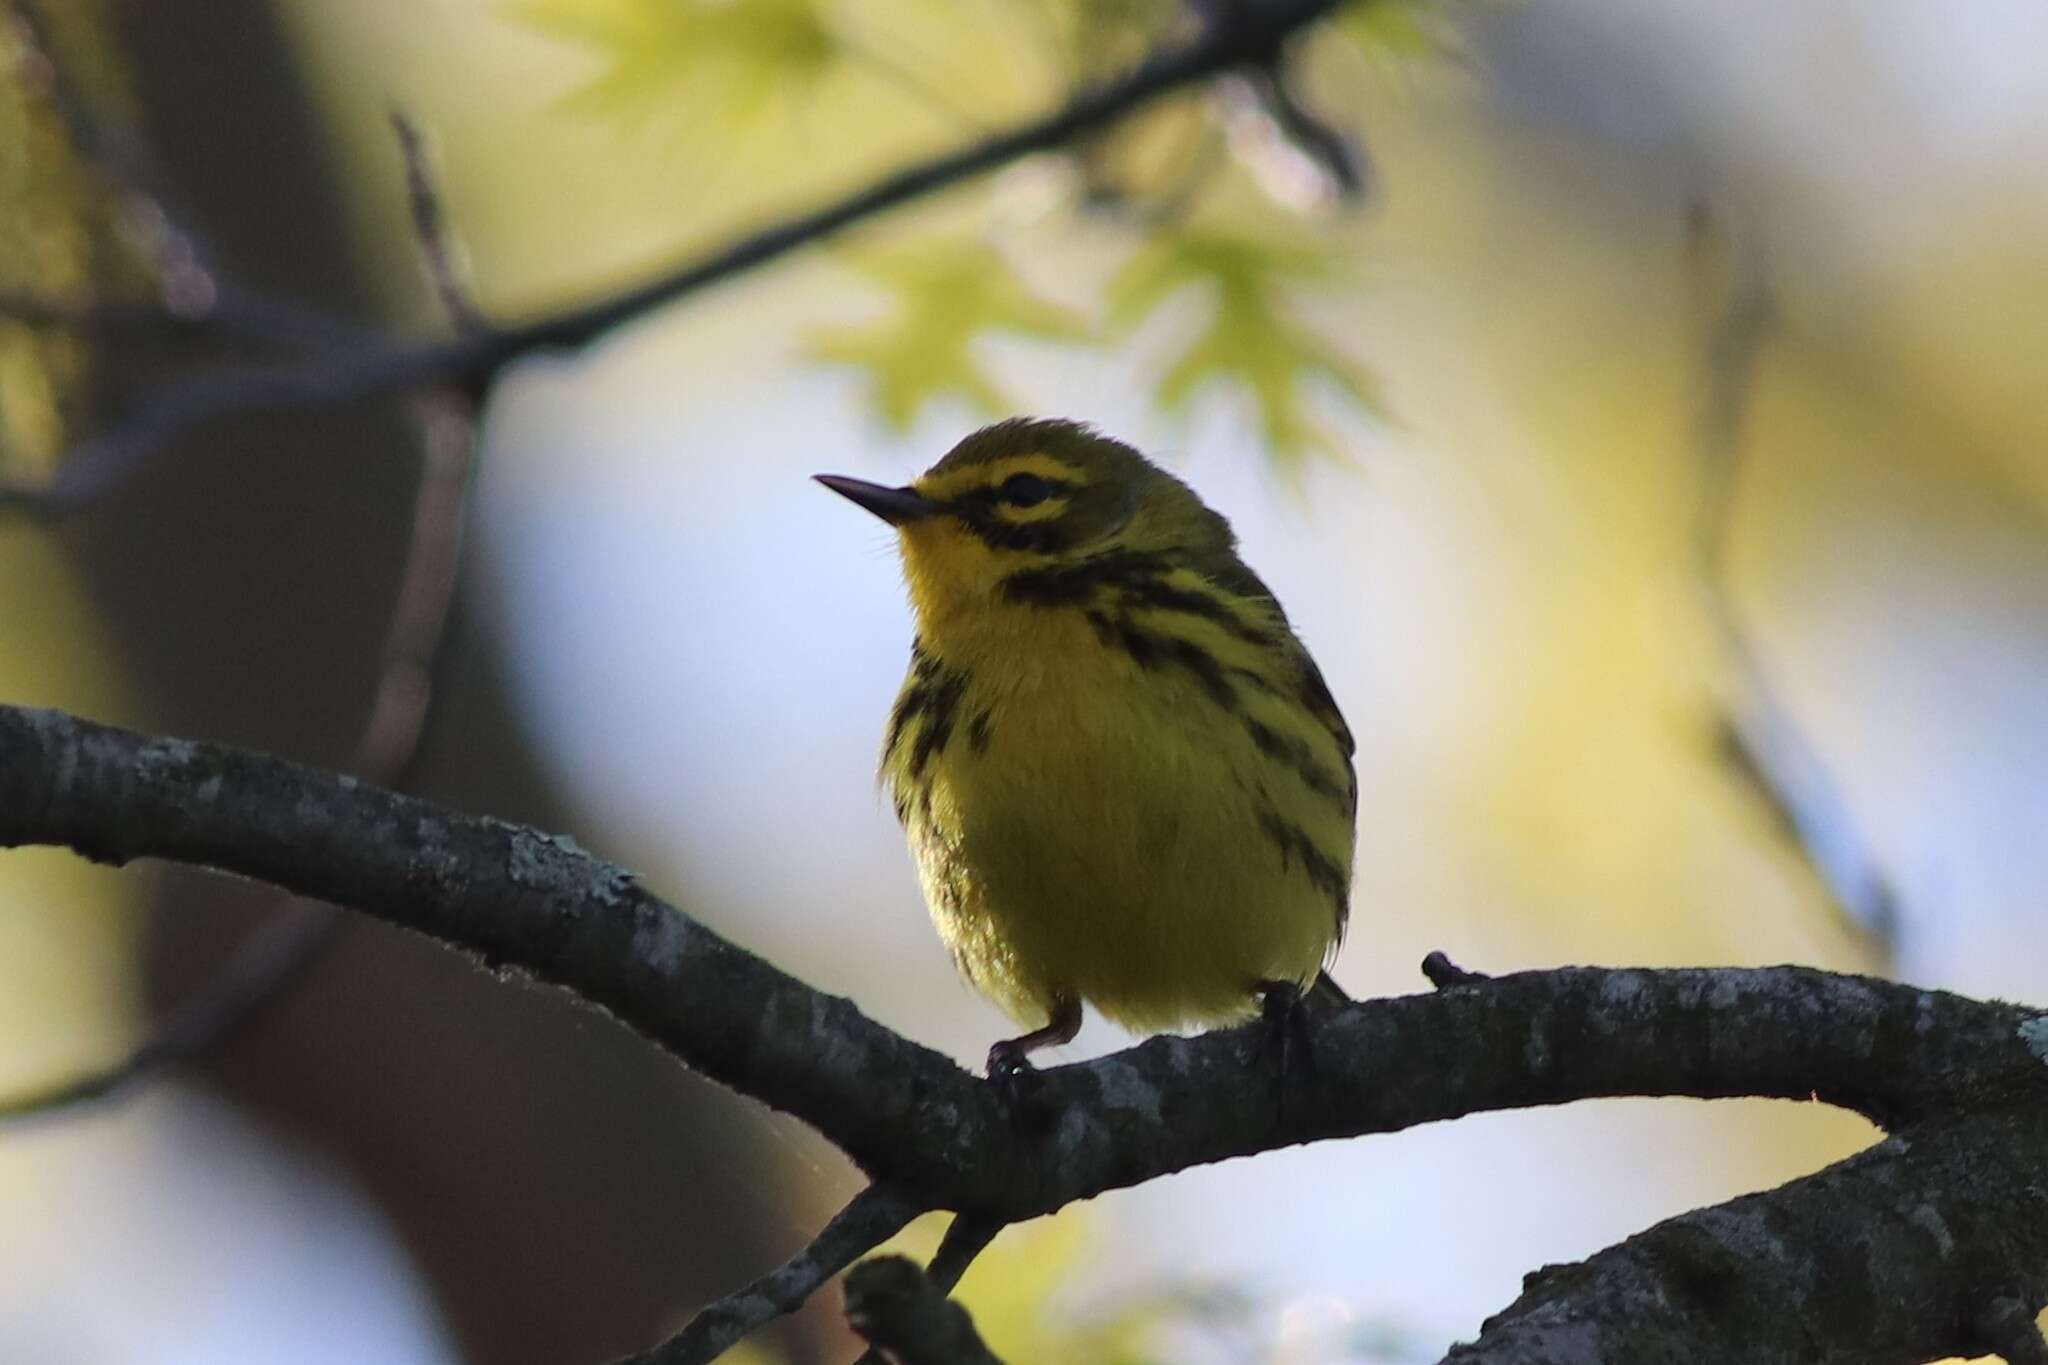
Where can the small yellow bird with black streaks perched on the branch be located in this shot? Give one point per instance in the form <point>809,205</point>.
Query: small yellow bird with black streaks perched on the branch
<point>1119,770</point>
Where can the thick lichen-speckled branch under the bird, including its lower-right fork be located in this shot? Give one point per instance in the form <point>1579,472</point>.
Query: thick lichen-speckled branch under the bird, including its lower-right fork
<point>1881,1260</point>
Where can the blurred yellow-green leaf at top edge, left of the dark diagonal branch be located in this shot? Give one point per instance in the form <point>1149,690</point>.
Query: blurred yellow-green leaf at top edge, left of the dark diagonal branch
<point>734,54</point>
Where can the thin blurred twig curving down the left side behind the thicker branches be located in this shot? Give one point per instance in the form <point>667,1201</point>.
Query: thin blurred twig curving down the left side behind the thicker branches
<point>286,949</point>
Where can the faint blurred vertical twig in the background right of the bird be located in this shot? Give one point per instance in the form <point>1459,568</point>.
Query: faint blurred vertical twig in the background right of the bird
<point>1762,744</point>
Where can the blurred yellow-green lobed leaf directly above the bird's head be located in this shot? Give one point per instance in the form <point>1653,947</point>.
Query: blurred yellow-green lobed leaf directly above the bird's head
<point>945,298</point>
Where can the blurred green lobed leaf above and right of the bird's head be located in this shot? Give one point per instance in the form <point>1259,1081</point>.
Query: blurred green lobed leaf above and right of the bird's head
<point>1254,337</point>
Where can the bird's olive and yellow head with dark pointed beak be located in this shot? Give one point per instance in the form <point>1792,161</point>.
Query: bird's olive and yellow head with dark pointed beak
<point>1031,494</point>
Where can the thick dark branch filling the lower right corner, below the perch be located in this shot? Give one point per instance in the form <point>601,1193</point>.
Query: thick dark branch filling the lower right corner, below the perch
<point>1871,1260</point>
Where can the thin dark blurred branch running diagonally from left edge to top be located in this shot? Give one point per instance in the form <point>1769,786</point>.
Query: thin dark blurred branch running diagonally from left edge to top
<point>1242,36</point>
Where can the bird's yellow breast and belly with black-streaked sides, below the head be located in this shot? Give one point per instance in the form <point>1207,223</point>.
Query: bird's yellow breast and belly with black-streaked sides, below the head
<point>1121,805</point>
